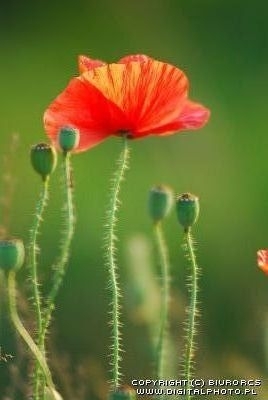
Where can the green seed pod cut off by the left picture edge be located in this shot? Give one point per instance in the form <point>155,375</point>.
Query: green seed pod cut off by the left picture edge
<point>11,254</point>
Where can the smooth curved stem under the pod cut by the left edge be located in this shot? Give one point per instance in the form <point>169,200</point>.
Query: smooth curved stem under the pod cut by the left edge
<point>24,334</point>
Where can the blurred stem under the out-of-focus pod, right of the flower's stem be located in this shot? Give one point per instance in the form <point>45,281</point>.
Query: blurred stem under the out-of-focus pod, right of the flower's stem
<point>165,280</point>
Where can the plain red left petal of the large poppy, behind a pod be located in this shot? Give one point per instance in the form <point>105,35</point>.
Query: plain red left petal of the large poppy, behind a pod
<point>83,106</point>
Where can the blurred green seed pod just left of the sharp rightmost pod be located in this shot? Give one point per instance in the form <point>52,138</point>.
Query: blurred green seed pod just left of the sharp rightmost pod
<point>160,202</point>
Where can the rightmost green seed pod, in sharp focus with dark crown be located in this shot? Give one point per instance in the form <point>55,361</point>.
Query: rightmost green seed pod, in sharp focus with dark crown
<point>187,206</point>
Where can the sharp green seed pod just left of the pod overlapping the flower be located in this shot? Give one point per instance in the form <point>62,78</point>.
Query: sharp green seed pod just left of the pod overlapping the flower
<point>43,159</point>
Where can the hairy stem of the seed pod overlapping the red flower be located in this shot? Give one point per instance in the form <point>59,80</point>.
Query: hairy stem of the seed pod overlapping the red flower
<point>60,267</point>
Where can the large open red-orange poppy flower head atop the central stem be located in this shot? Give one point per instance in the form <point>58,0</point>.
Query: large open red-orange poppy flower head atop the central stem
<point>138,96</point>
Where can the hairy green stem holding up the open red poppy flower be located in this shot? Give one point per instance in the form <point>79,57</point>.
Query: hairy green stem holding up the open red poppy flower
<point>110,246</point>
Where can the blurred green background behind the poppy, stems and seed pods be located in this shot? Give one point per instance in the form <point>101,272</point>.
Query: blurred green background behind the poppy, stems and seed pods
<point>223,48</point>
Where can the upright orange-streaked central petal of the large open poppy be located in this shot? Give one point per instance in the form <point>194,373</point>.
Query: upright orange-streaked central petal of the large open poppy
<point>151,94</point>
